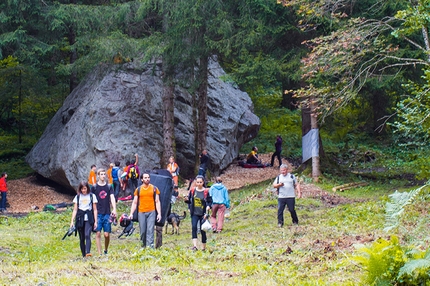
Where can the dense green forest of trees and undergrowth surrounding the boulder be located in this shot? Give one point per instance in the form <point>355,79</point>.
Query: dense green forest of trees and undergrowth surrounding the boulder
<point>362,69</point>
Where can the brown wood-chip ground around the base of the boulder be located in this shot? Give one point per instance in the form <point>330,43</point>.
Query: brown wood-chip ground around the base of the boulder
<point>29,194</point>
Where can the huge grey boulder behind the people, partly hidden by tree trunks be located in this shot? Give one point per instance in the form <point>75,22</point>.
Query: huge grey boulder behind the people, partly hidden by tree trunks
<point>117,112</point>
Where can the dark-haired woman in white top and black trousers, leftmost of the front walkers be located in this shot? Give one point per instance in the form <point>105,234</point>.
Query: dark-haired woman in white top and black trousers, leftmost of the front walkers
<point>85,213</point>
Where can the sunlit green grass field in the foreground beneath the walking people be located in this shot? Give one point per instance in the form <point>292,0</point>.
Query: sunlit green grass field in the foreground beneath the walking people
<point>250,251</point>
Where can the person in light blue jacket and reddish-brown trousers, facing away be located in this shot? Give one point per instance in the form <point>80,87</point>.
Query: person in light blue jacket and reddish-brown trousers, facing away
<point>220,202</point>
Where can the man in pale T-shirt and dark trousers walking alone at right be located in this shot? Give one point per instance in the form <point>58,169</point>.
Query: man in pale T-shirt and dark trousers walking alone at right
<point>287,186</point>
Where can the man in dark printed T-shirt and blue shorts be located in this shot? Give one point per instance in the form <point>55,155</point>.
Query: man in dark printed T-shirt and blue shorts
<point>106,198</point>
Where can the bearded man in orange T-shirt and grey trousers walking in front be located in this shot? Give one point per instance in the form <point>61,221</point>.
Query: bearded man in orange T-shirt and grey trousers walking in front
<point>146,200</point>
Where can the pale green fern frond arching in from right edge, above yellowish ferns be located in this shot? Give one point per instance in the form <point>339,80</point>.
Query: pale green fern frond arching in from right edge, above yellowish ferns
<point>395,207</point>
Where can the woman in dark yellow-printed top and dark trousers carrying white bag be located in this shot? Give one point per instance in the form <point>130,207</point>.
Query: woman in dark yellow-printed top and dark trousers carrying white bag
<point>199,203</point>
